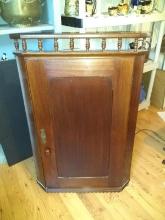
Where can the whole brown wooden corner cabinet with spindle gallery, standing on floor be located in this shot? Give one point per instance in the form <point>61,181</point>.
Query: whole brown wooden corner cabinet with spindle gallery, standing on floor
<point>82,107</point>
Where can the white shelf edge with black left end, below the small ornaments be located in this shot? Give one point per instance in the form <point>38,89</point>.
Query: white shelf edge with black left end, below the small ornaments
<point>107,21</point>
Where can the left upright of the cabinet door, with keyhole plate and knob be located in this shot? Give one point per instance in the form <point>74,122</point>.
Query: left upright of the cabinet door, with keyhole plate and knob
<point>38,89</point>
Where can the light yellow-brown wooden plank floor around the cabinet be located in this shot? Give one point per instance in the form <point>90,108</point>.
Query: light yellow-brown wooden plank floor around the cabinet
<point>143,199</point>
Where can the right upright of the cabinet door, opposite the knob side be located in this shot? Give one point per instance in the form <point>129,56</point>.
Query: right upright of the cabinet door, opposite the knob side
<point>120,114</point>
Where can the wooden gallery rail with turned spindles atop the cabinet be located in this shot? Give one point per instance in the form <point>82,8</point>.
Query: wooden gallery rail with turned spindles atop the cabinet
<point>140,41</point>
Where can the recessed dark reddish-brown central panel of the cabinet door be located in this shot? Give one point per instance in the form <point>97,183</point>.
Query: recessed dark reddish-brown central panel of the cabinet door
<point>81,110</point>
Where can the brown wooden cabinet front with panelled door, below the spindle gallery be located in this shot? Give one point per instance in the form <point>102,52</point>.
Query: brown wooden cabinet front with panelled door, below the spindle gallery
<point>82,115</point>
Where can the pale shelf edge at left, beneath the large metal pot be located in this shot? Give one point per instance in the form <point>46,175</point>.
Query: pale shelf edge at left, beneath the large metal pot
<point>5,29</point>
